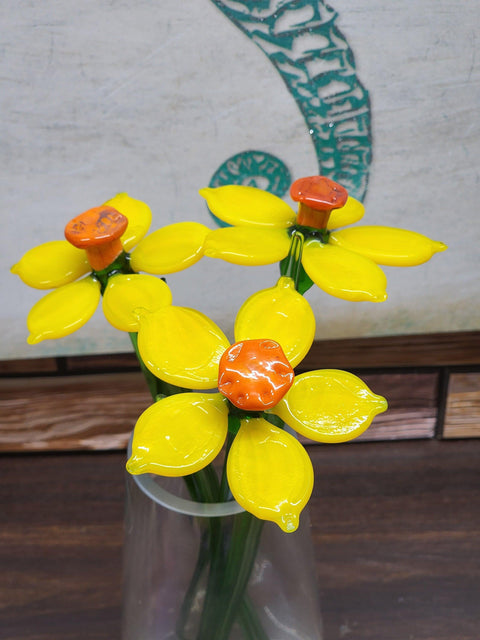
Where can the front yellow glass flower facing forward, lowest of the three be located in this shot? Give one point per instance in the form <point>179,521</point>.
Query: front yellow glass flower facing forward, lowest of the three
<point>269,472</point>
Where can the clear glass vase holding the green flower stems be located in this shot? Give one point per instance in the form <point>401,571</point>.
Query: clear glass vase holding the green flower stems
<point>195,571</point>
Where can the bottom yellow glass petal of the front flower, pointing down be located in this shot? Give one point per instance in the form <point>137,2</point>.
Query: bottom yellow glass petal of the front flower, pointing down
<point>269,473</point>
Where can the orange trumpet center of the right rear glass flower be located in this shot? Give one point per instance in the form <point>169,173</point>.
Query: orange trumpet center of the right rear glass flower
<point>318,196</point>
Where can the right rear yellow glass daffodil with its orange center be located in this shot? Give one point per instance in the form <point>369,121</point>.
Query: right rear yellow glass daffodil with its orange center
<point>344,263</point>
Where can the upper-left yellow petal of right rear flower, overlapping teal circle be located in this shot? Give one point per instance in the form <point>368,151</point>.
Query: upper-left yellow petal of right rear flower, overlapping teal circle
<point>248,206</point>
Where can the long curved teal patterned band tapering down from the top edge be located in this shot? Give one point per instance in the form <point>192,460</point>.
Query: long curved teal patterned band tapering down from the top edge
<point>317,65</point>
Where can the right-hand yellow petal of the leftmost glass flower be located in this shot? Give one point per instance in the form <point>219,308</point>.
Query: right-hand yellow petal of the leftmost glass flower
<point>170,249</point>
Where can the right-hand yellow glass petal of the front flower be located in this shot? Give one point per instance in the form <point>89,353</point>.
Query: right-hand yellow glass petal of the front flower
<point>329,405</point>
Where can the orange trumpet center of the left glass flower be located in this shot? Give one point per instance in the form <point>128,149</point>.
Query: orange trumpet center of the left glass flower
<point>98,231</point>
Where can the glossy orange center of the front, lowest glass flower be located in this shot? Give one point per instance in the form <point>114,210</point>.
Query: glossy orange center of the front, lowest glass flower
<point>254,374</point>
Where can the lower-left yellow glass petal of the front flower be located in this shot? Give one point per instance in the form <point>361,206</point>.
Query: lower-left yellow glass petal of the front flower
<point>179,435</point>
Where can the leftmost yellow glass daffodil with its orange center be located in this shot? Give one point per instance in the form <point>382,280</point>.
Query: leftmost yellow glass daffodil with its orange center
<point>99,240</point>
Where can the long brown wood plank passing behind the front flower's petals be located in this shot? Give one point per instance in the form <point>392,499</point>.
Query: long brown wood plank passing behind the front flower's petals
<point>99,411</point>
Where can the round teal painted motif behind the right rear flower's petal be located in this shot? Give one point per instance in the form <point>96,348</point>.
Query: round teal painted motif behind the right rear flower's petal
<point>253,169</point>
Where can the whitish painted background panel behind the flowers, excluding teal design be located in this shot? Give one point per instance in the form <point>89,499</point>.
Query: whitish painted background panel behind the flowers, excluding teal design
<point>150,98</point>
